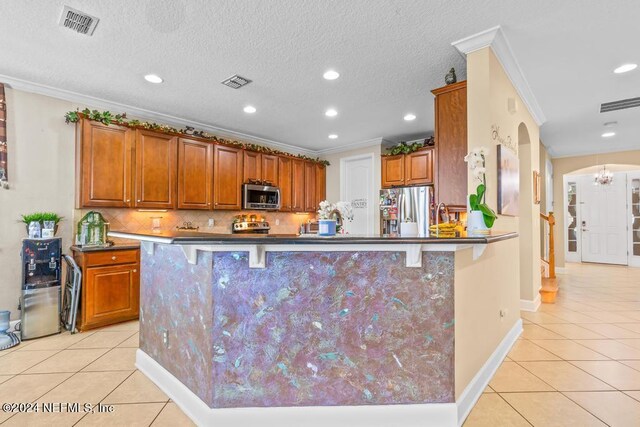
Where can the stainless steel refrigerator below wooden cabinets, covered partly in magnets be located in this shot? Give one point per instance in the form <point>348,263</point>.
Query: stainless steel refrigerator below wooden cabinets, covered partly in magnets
<point>405,204</point>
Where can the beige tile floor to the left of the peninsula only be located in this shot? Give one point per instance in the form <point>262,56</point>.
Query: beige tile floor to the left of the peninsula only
<point>91,367</point>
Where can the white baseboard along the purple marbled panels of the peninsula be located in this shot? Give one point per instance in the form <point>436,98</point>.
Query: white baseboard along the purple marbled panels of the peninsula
<point>423,415</point>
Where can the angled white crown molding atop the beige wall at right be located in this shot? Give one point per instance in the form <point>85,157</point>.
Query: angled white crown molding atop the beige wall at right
<point>497,41</point>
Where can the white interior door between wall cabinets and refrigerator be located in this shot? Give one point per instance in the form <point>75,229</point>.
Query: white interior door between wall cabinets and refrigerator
<point>356,176</point>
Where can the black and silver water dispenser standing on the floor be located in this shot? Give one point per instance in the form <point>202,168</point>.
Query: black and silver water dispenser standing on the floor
<point>41,287</point>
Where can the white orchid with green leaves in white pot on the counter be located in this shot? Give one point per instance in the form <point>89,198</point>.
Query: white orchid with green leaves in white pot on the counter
<point>481,217</point>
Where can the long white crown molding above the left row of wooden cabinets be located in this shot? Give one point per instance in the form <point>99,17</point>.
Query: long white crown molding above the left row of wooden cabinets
<point>141,113</point>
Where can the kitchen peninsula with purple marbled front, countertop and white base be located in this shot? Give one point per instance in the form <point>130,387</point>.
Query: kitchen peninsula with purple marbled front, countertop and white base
<point>316,330</point>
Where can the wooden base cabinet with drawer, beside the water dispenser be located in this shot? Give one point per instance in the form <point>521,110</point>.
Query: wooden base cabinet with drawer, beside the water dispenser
<point>110,291</point>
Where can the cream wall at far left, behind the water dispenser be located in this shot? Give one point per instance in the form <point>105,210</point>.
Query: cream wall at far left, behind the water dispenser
<point>41,176</point>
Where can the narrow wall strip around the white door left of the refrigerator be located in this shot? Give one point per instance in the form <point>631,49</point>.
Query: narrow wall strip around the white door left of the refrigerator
<point>333,175</point>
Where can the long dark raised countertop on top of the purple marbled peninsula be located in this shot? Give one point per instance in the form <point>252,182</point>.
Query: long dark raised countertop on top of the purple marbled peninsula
<point>201,238</point>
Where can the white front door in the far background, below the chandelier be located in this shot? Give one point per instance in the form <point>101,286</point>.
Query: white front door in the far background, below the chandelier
<point>604,221</point>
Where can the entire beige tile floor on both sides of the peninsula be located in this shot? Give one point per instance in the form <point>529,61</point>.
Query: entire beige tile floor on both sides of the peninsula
<point>577,363</point>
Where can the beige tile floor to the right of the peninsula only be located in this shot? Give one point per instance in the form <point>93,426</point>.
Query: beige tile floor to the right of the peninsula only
<point>577,362</point>
